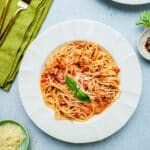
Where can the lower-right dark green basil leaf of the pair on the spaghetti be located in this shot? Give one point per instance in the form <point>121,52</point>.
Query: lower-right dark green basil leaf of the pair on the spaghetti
<point>82,96</point>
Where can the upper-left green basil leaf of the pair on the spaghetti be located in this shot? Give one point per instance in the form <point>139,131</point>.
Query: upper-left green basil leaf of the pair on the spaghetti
<point>71,83</point>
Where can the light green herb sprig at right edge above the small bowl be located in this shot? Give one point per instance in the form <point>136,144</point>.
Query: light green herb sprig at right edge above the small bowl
<point>144,19</point>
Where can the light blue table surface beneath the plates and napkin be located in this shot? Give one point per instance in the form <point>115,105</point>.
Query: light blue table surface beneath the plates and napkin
<point>136,134</point>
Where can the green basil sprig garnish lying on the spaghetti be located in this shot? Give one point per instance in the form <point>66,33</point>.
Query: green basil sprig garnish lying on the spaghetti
<point>72,84</point>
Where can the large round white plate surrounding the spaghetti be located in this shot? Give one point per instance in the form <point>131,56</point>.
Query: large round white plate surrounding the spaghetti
<point>101,126</point>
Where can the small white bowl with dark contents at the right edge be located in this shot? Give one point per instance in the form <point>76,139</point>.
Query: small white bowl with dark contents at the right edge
<point>141,44</point>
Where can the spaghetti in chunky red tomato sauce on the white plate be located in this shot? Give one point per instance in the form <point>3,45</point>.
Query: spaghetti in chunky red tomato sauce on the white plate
<point>96,73</point>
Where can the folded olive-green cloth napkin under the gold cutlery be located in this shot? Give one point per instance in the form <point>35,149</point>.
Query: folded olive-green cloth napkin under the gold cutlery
<point>22,33</point>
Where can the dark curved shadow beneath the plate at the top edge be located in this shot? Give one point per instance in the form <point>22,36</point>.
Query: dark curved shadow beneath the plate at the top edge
<point>129,8</point>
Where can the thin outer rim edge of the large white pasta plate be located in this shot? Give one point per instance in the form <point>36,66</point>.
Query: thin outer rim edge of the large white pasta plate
<point>71,140</point>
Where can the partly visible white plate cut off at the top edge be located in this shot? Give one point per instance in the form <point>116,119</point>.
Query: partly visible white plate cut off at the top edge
<point>132,2</point>
